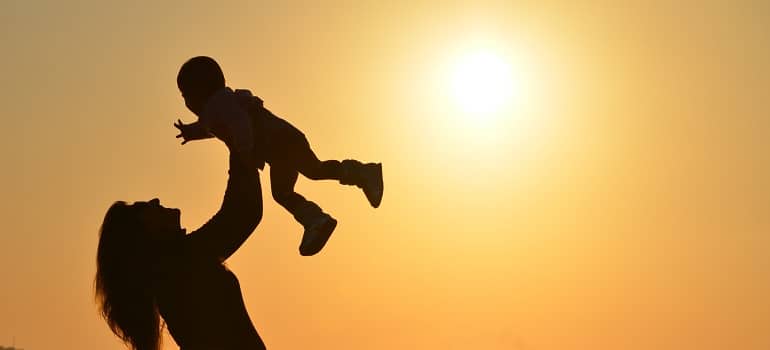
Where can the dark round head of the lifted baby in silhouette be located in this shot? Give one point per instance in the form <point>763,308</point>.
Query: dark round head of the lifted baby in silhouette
<point>198,79</point>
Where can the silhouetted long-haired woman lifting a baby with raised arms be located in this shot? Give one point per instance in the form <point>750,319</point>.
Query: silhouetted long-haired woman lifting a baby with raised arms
<point>147,268</point>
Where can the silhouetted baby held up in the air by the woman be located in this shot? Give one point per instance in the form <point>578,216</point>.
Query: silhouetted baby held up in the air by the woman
<point>240,120</point>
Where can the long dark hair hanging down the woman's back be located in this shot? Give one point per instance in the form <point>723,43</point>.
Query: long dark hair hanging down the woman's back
<point>124,277</point>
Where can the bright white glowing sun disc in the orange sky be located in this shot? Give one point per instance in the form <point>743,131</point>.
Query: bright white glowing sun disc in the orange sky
<point>482,83</point>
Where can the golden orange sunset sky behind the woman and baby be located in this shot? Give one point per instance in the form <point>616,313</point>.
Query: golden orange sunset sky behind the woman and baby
<point>558,175</point>
